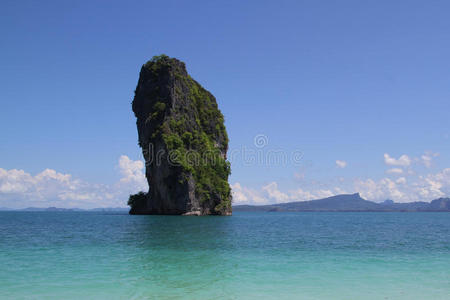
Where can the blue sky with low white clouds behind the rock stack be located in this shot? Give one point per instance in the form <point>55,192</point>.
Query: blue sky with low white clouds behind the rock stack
<point>347,81</point>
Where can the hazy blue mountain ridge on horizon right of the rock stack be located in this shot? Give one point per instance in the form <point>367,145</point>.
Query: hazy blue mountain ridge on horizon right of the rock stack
<point>349,203</point>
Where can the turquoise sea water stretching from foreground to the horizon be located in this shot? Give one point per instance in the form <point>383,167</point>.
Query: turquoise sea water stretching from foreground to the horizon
<point>50,255</point>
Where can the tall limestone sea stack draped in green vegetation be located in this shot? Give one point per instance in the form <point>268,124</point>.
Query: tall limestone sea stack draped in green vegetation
<point>184,142</point>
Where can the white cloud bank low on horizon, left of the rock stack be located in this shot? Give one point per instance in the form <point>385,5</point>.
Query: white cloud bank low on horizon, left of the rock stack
<point>50,188</point>
